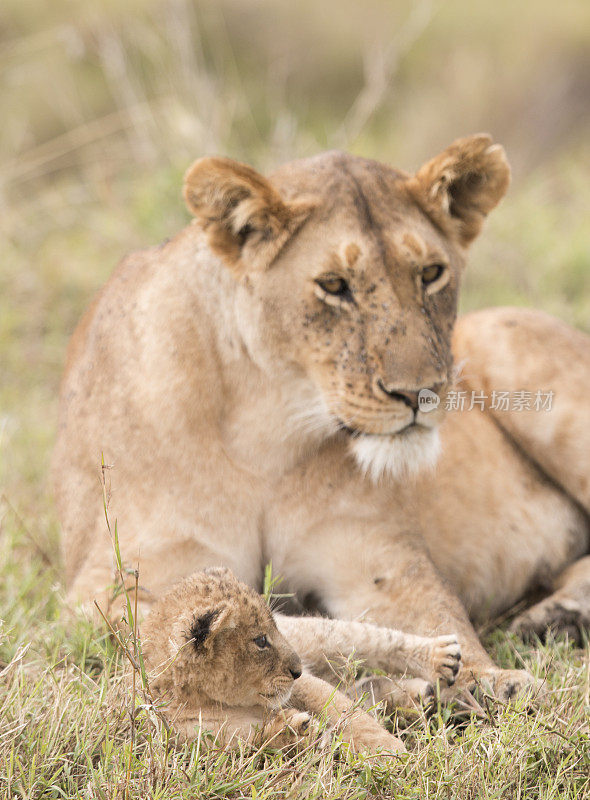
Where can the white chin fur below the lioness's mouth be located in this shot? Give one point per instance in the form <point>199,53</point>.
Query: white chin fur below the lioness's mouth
<point>397,456</point>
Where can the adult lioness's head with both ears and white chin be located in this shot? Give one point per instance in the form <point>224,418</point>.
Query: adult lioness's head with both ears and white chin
<point>348,275</point>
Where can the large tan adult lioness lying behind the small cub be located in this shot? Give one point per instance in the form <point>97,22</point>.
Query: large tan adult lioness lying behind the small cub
<point>255,384</point>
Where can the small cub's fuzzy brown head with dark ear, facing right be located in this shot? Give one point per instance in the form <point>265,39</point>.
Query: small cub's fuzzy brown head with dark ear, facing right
<point>212,638</point>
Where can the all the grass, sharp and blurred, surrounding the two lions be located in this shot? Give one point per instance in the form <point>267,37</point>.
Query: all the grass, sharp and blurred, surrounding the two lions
<point>103,107</point>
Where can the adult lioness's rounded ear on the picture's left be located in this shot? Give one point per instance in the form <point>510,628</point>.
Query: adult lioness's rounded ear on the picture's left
<point>247,220</point>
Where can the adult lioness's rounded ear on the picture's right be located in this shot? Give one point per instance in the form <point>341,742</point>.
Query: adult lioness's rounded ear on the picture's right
<point>459,187</point>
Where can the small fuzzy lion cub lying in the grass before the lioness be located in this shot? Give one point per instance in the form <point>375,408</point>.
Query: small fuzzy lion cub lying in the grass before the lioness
<point>217,658</point>
